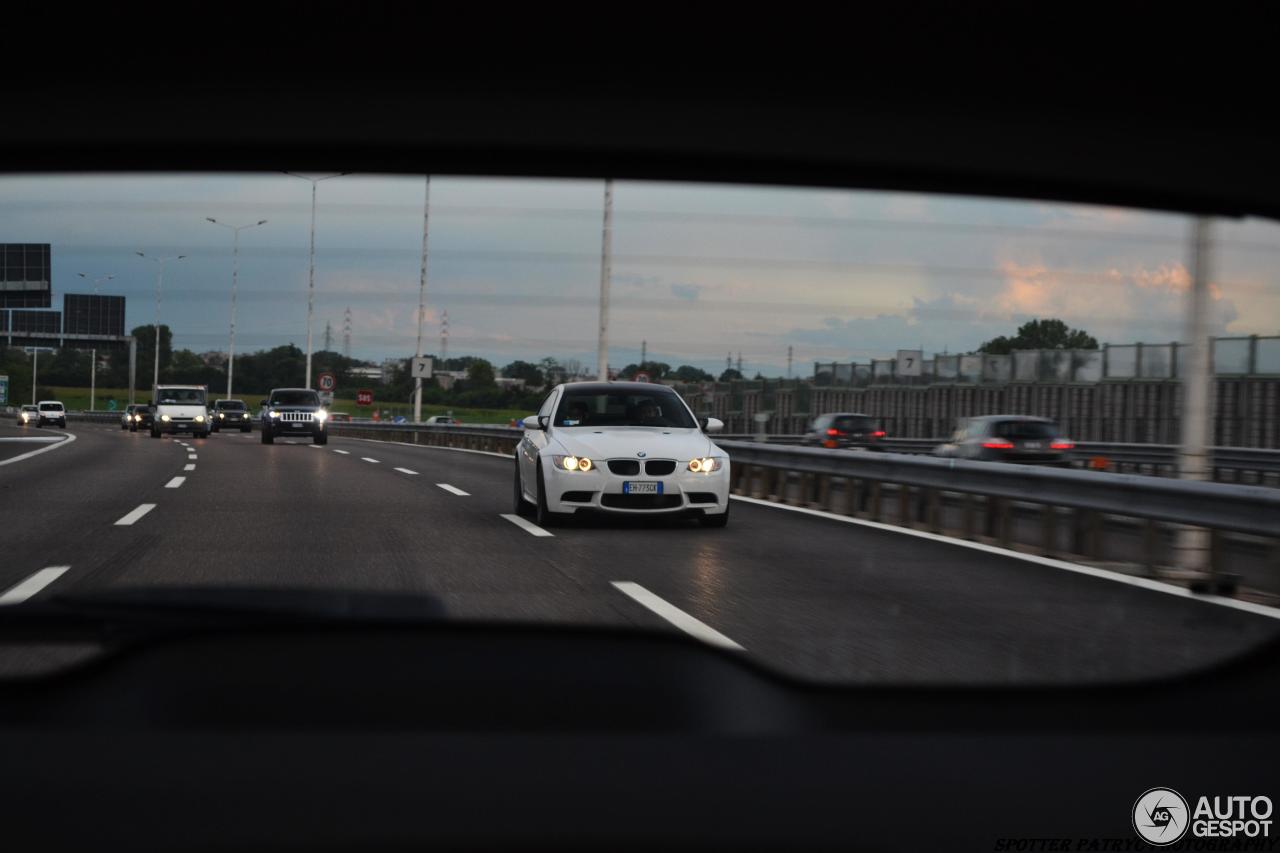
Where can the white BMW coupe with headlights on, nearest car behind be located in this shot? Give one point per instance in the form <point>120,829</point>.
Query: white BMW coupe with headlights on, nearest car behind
<point>620,448</point>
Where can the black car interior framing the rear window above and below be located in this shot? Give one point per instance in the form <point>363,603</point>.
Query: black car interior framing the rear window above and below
<point>395,732</point>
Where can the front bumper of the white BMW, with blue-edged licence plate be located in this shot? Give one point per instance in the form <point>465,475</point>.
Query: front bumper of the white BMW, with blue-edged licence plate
<point>601,491</point>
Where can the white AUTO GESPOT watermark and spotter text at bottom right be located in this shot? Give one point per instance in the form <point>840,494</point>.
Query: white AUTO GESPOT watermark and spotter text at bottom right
<point>1163,819</point>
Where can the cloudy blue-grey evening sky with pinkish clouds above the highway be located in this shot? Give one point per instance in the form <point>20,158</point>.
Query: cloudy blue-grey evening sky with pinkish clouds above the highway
<point>700,271</point>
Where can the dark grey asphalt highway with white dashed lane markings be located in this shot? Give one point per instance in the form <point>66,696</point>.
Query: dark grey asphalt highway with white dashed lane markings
<point>811,596</point>
